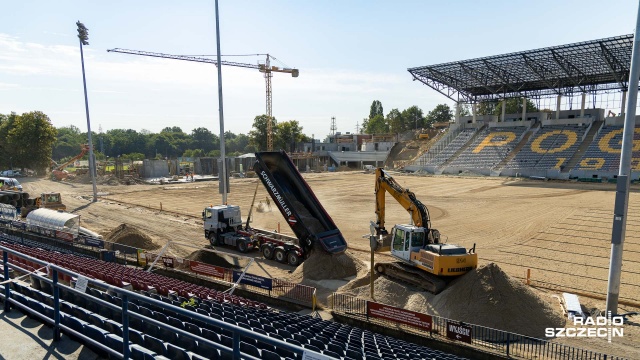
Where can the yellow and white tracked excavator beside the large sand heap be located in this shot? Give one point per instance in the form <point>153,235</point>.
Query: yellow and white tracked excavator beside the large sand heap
<point>423,260</point>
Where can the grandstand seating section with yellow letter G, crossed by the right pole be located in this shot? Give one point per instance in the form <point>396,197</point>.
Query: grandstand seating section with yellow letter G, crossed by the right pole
<point>604,152</point>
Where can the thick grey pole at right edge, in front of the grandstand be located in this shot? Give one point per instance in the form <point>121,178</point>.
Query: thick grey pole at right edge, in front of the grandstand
<point>621,206</point>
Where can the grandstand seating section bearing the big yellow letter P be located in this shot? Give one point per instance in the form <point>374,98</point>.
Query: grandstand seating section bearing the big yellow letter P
<point>490,147</point>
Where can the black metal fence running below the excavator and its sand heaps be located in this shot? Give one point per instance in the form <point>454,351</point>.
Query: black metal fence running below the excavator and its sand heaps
<point>499,341</point>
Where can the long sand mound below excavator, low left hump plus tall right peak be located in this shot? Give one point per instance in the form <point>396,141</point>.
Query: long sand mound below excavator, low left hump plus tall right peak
<point>486,296</point>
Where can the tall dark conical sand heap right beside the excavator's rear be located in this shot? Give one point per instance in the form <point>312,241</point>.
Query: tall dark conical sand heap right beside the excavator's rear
<point>490,297</point>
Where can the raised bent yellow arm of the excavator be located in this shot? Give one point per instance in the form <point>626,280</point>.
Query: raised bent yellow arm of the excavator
<point>407,199</point>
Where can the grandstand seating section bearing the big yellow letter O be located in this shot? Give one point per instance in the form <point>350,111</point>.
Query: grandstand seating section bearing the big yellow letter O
<point>550,148</point>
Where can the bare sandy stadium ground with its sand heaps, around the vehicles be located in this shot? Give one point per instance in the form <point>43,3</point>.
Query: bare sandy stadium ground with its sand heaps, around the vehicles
<point>518,226</point>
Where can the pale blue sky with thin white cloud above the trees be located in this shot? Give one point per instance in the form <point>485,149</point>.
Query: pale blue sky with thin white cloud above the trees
<point>349,54</point>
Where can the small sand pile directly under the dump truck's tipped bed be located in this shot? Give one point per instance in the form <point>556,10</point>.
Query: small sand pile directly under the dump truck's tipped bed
<point>323,266</point>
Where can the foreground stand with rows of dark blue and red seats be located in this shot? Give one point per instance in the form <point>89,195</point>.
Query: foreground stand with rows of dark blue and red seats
<point>157,330</point>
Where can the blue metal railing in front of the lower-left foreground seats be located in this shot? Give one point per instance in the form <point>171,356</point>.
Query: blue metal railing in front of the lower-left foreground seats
<point>56,319</point>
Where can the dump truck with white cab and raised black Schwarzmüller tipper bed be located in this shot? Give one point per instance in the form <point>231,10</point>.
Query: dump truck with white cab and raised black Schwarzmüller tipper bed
<point>296,202</point>
